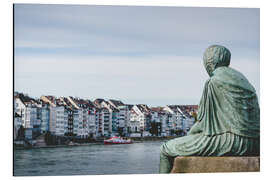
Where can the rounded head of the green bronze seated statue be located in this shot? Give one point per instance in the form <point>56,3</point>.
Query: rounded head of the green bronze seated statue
<point>216,56</point>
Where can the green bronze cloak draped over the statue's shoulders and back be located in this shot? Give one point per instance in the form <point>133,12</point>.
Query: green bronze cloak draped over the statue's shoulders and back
<point>229,104</point>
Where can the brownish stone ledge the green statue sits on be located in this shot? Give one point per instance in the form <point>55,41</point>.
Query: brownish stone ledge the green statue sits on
<point>215,164</point>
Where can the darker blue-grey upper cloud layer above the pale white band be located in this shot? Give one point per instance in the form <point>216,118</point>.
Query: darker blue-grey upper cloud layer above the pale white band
<point>151,30</point>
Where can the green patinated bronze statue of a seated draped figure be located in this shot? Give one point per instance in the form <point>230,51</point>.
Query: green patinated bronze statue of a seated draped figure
<point>228,121</point>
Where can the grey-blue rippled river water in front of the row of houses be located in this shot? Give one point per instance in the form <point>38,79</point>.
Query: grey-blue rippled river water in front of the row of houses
<point>93,159</point>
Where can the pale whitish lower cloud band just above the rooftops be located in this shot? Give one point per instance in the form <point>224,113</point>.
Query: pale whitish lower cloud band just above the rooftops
<point>150,78</point>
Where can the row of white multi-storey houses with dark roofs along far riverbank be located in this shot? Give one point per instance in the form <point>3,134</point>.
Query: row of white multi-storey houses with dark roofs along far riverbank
<point>69,116</point>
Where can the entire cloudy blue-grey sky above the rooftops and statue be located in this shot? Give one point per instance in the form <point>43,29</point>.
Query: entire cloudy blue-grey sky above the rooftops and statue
<point>150,55</point>
